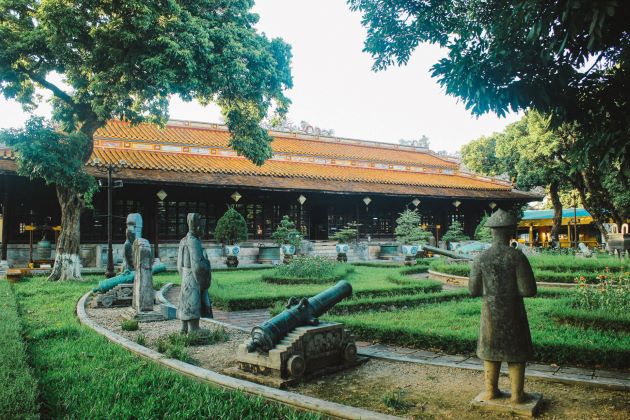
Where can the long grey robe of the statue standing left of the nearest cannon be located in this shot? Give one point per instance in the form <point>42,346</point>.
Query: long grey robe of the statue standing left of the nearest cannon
<point>194,269</point>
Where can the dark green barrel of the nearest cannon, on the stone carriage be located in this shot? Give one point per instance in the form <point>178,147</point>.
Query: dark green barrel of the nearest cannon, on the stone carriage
<point>297,314</point>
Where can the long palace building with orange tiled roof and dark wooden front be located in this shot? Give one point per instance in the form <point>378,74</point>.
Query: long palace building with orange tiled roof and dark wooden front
<point>322,183</point>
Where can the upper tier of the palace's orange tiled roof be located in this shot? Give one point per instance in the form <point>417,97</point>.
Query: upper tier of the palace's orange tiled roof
<point>213,135</point>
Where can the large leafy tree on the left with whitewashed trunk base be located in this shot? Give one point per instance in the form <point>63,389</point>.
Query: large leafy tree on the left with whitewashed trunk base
<point>125,59</point>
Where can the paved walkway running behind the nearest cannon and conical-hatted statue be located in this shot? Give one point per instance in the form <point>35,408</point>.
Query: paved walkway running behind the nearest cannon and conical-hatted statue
<point>611,379</point>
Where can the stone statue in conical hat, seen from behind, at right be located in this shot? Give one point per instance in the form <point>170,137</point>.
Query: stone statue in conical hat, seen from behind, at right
<point>503,276</point>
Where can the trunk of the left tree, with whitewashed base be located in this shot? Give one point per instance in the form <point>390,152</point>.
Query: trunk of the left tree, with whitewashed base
<point>67,262</point>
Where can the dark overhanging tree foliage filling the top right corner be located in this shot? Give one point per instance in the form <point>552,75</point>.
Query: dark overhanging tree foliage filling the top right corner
<point>566,58</point>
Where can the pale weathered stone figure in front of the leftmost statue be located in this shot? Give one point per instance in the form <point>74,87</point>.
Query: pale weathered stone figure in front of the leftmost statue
<point>143,294</point>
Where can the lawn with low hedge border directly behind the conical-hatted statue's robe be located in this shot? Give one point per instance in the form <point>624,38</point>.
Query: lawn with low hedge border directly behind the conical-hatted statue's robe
<point>454,326</point>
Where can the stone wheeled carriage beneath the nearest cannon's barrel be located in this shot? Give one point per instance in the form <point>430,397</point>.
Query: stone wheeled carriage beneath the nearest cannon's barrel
<point>305,353</point>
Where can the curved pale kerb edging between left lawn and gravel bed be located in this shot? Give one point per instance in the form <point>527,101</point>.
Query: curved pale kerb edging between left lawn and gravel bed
<point>299,401</point>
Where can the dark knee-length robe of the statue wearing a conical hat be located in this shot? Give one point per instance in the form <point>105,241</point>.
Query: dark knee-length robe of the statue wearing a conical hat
<point>503,276</point>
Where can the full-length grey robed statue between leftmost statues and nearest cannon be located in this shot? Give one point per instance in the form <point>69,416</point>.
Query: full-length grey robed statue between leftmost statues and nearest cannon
<point>194,268</point>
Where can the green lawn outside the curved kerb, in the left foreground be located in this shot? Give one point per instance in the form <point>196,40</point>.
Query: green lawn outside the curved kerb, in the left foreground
<point>82,375</point>
